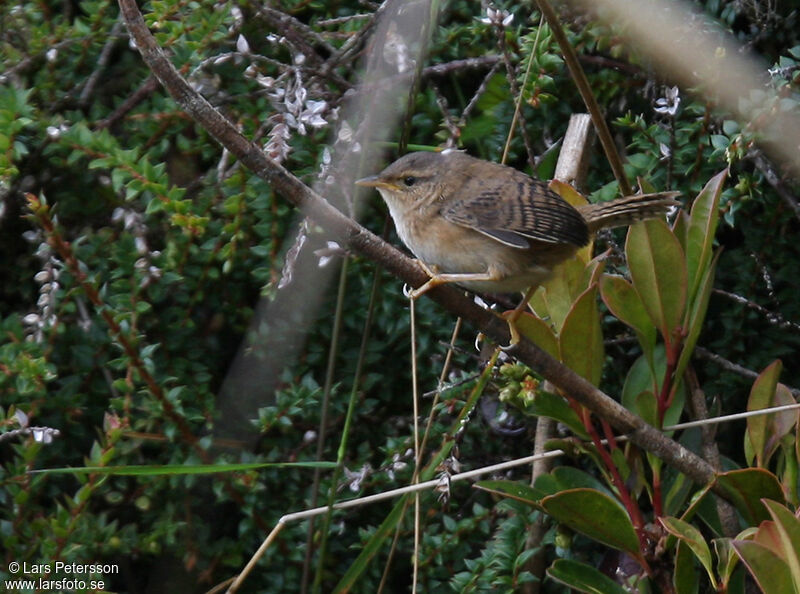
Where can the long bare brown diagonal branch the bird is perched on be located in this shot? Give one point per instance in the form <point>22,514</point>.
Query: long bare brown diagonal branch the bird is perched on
<point>367,244</point>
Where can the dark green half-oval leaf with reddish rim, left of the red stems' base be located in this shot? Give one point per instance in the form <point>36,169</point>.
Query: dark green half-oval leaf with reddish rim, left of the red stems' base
<point>596,515</point>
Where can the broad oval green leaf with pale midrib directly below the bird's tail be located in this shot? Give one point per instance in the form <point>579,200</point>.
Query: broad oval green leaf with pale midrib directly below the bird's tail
<point>658,270</point>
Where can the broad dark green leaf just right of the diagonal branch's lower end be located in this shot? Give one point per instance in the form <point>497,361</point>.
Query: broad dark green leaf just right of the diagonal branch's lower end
<point>747,487</point>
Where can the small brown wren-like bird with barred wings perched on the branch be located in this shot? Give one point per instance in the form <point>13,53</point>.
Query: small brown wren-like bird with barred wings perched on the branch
<point>490,228</point>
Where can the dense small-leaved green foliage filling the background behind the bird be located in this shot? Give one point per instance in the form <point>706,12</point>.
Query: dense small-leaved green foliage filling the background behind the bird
<point>148,315</point>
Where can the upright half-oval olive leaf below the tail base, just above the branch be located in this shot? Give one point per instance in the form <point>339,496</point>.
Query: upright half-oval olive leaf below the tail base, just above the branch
<point>581,338</point>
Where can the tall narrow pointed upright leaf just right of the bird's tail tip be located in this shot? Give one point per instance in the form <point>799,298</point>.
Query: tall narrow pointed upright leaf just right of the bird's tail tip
<point>700,233</point>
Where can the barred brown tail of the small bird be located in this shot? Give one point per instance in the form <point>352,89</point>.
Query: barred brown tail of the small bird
<point>627,210</point>
